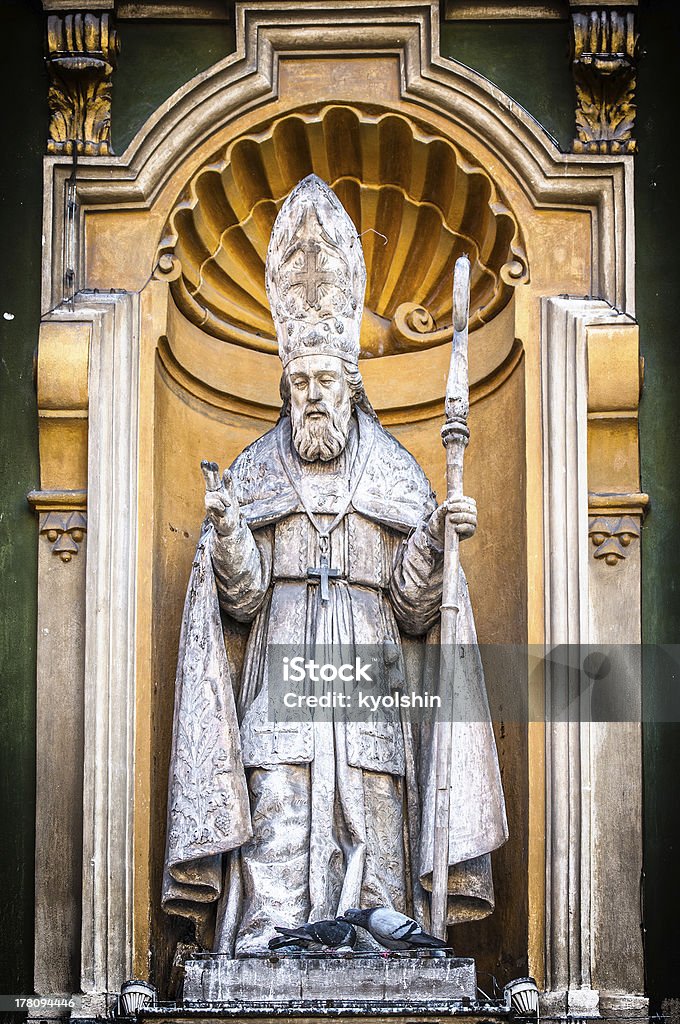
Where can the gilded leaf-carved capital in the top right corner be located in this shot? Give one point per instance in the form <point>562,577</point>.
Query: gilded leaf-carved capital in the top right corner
<point>605,73</point>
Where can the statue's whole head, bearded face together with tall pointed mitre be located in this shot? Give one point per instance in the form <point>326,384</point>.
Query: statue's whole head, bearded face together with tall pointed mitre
<point>316,280</point>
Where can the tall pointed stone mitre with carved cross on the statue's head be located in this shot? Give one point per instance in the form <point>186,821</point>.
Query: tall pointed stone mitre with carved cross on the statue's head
<point>316,276</point>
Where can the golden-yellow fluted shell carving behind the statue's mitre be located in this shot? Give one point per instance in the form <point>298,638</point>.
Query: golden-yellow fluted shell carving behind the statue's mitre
<point>417,201</point>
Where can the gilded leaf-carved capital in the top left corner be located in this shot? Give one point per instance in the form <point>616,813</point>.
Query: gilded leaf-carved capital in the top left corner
<point>82,49</point>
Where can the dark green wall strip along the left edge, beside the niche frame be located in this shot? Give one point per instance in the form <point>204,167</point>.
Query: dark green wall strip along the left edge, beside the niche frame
<point>24,130</point>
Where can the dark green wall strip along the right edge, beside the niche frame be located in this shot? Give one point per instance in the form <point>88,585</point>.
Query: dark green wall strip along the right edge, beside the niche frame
<point>658,228</point>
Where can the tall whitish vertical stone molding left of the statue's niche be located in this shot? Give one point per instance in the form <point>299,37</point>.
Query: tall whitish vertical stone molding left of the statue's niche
<point>111,589</point>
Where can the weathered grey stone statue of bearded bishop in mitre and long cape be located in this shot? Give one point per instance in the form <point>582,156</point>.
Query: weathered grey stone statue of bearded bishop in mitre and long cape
<point>324,532</point>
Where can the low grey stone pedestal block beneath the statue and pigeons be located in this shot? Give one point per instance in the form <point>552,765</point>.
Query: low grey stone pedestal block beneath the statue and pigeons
<point>286,982</point>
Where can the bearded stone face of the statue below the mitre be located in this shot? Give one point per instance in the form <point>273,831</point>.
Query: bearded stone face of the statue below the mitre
<point>321,407</point>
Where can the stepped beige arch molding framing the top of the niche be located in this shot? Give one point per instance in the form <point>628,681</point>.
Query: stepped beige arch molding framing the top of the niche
<point>250,80</point>
